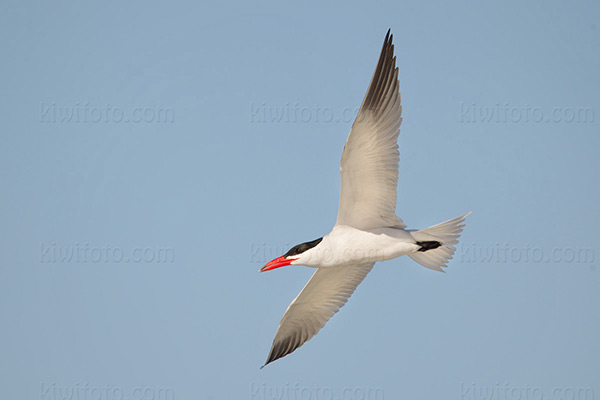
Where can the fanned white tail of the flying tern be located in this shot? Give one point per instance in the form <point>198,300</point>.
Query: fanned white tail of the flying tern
<point>437,243</point>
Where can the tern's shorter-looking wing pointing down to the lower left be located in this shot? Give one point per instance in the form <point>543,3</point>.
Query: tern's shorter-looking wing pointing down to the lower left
<point>324,294</point>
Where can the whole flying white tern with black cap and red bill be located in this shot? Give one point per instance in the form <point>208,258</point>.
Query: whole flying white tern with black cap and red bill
<point>367,229</point>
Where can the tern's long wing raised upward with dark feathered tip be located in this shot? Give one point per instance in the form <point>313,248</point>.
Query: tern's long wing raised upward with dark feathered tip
<point>369,166</point>
